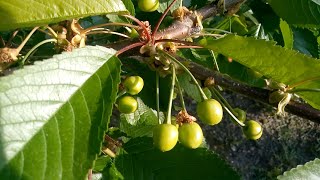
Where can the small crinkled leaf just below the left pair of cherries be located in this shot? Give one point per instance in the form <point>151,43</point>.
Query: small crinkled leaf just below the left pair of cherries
<point>140,123</point>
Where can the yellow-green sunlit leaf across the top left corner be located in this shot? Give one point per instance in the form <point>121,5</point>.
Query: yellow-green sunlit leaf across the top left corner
<point>16,13</point>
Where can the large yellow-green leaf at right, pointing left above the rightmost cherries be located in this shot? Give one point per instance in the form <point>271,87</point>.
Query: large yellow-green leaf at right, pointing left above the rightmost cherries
<point>280,64</point>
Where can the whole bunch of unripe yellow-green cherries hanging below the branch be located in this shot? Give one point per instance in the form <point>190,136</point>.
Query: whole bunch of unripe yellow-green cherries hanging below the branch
<point>188,133</point>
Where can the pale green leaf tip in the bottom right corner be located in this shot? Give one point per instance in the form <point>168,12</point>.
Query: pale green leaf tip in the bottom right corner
<point>310,170</point>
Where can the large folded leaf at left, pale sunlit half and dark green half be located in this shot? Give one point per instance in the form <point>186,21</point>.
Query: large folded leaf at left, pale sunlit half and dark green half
<point>53,114</point>
